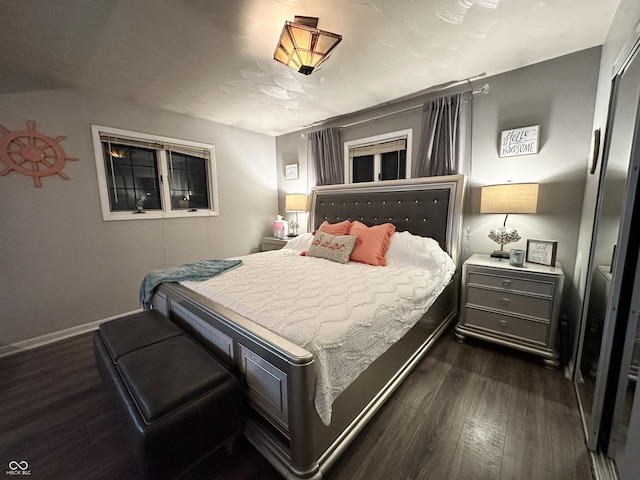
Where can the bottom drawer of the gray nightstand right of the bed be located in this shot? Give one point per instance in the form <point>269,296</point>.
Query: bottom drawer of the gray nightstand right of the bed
<point>505,325</point>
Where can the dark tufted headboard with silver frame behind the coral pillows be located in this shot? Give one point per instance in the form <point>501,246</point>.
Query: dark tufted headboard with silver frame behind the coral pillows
<point>429,207</point>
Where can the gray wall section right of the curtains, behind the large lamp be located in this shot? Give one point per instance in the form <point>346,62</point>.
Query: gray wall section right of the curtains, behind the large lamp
<point>559,95</point>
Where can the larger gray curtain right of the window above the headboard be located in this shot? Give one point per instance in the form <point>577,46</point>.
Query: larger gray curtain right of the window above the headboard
<point>445,140</point>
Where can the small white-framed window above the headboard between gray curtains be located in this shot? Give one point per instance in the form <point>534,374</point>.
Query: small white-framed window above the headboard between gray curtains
<point>383,157</point>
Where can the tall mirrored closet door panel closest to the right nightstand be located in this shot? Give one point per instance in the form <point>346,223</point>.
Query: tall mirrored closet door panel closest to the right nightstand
<point>599,353</point>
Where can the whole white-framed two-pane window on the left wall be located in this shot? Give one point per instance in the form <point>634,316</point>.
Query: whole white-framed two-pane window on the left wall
<point>147,176</point>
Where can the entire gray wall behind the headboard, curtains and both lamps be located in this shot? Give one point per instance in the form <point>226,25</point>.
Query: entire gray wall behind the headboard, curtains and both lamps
<point>559,96</point>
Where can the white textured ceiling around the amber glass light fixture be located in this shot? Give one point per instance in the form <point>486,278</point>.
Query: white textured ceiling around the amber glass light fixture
<point>213,59</point>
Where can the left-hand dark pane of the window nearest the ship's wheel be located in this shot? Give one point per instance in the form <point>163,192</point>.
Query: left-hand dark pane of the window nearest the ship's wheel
<point>134,172</point>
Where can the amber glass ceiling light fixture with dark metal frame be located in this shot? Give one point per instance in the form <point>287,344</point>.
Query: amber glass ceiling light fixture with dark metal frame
<point>302,46</point>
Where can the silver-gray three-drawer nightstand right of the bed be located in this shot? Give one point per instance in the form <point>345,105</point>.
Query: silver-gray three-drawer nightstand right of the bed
<point>516,307</point>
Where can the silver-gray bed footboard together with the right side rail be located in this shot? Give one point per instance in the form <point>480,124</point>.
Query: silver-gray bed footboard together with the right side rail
<point>279,378</point>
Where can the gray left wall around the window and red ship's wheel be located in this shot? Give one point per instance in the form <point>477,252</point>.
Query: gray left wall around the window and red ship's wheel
<point>61,266</point>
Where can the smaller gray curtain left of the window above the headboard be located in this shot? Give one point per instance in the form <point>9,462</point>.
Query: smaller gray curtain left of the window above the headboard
<point>327,160</point>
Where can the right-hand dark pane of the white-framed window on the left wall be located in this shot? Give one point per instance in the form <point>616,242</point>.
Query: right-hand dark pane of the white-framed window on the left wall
<point>188,182</point>
